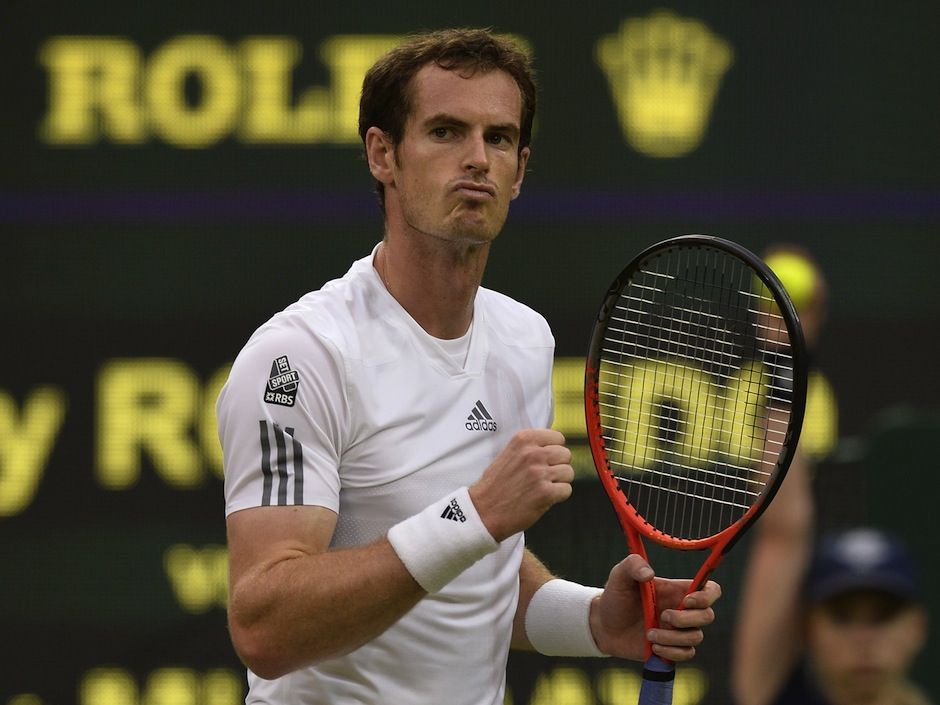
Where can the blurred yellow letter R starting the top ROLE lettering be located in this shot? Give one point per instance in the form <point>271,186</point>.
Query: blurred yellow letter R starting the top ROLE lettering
<point>93,88</point>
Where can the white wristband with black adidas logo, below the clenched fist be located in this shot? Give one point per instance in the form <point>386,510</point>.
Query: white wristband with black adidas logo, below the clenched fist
<point>440,542</point>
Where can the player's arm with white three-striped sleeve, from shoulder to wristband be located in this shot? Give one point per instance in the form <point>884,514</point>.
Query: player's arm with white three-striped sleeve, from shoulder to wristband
<point>292,601</point>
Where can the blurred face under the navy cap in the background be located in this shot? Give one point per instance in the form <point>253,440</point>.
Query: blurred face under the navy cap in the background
<point>863,642</point>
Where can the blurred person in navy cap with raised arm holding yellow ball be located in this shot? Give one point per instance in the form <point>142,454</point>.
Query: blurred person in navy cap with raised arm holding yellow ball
<point>840,625</point>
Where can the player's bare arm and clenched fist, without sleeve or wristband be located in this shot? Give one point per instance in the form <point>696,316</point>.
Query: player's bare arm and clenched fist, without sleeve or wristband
<point>294,602</point>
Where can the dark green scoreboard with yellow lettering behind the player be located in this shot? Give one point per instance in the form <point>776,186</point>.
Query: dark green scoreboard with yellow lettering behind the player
<point>173,174</point>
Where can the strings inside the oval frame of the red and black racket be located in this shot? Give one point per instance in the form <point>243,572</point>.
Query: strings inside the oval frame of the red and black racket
<point>692,390</point>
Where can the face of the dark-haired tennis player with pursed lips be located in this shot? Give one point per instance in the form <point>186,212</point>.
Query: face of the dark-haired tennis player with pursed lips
<point>458,164</point>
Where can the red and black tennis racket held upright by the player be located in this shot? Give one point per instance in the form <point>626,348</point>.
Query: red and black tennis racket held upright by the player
<point>695,386</point>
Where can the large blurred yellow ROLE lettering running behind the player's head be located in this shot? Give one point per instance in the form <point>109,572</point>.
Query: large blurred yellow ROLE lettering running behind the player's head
<point>195,90</point>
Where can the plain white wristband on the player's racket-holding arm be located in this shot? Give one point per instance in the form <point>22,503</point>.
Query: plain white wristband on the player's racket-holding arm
<point>556,621</point>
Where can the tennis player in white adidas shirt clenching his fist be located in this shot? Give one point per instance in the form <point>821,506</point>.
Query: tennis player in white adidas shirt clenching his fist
<point>387,438</point>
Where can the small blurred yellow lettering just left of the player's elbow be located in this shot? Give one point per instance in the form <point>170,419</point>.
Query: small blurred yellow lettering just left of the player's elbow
<point>199,577</point>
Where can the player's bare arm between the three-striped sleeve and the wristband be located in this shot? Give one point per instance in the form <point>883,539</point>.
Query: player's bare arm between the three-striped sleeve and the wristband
<point>292,602</point>
